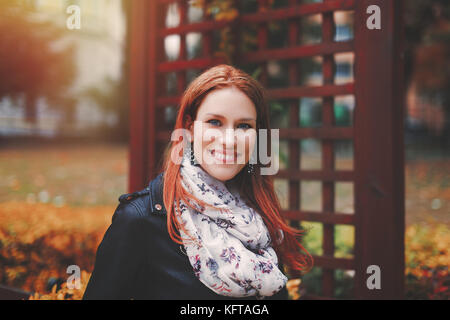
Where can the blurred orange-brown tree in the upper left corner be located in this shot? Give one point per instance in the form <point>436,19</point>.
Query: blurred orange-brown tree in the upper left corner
<point>34,60</point>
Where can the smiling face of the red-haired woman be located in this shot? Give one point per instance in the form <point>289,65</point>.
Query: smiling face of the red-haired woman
<point>224,132</point>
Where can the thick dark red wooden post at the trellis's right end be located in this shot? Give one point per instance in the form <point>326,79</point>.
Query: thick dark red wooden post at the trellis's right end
<point>379,151</point>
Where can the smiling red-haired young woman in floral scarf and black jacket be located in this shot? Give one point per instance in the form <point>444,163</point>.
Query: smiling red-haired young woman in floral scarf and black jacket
<point>209,225</point>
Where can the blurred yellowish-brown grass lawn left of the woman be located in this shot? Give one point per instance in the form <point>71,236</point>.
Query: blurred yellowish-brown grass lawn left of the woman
<point>73,175</point>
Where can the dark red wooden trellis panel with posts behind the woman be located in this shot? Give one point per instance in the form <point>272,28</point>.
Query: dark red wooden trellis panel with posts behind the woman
<point>376,130</point>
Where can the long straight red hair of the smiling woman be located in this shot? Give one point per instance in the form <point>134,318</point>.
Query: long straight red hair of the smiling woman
<point>257,189</point>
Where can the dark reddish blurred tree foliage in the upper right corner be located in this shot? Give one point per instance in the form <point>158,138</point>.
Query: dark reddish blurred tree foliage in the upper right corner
<point>427,51</point>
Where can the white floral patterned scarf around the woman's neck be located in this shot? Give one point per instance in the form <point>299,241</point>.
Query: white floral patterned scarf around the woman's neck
<point>233,254</point>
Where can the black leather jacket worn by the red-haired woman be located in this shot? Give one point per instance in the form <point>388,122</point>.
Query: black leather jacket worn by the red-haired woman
<point>138,260</point>
